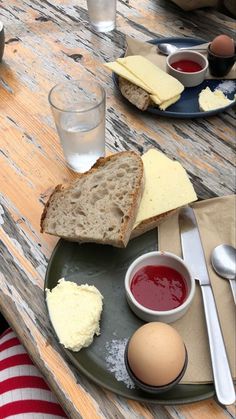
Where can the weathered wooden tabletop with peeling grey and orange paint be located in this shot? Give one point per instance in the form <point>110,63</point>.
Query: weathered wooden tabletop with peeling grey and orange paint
<point>51,41</point>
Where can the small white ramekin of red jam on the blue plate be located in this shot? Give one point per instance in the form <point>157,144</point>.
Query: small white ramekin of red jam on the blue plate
<point>189,67</point>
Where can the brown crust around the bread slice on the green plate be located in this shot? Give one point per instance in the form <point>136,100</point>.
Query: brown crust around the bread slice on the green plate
<point>130,216</point>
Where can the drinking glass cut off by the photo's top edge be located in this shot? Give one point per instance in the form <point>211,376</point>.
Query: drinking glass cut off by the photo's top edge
<point>102,14</point>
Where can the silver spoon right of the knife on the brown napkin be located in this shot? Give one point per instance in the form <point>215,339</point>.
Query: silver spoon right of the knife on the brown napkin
<point>223,259</point>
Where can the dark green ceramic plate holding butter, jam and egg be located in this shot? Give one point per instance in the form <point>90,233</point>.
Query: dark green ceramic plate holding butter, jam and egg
<point>105,267</point>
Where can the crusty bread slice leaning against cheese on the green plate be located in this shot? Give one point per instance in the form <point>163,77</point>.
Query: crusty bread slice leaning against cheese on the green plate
<point>100,205</point>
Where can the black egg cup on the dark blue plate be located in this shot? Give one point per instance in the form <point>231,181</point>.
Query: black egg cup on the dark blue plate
<point>220,66</point>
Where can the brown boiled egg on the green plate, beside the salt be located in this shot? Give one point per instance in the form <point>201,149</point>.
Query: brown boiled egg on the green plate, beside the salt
<point>156,354</point>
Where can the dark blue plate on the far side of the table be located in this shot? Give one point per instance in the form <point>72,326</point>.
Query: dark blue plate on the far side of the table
<point>187,106</point>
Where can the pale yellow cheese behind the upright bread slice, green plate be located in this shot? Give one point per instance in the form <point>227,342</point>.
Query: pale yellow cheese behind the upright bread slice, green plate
<point>167,186</point>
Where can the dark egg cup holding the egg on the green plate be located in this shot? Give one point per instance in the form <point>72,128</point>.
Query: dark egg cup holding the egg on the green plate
<point>154,389</point>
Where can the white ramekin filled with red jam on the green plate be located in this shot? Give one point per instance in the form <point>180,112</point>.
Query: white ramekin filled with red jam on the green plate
<point>159,287</point>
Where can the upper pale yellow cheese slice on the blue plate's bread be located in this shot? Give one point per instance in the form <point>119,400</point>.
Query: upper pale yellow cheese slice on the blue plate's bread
<point>161,84</point>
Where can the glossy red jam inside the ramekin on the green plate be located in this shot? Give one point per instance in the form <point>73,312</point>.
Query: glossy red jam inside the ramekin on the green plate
<point>159,288</point>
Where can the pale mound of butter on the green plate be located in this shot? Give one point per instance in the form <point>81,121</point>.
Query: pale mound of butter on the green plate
<point>75,311</point>
